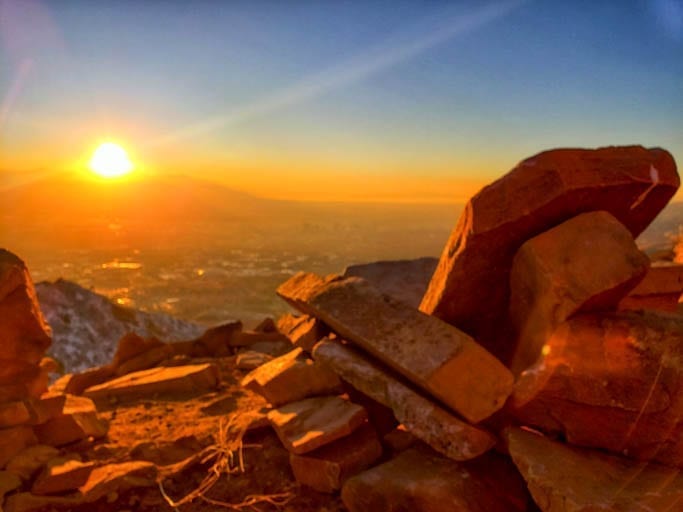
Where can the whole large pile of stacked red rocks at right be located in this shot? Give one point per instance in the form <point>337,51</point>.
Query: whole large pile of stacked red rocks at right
<point>527,322</point>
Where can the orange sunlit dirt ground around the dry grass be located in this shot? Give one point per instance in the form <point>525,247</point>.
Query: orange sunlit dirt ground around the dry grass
<point>170,429</point>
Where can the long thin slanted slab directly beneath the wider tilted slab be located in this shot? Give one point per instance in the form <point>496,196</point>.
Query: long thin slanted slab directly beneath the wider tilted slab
<point>429,422</point>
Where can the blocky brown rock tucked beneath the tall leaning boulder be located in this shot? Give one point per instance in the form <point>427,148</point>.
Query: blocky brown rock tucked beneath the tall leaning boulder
<point>589,262</point>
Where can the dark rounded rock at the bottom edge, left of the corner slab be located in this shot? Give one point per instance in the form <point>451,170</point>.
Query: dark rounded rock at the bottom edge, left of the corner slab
<point>420,481</point>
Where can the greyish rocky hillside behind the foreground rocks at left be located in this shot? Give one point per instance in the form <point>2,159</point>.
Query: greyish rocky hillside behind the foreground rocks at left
<point>86,326</point>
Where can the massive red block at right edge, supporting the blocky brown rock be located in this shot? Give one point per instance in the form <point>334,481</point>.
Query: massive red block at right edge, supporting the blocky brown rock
<point>613,381</point>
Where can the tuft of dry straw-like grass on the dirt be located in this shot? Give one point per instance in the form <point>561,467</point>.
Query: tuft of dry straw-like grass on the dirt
<point>227,454</point>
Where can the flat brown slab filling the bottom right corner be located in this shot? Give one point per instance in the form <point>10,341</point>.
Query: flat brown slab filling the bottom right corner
<point>566,479</point>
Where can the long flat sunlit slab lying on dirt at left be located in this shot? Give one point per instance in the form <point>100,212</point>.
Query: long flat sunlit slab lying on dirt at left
<point>177,379</point>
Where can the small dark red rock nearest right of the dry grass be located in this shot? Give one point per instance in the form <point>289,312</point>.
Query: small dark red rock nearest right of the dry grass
<point>328,467</point>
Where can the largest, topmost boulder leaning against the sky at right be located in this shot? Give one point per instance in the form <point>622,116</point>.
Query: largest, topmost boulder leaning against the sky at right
<point>470,287</point>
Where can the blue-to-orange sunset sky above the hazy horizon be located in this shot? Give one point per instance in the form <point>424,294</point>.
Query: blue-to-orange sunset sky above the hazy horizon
<point>366,100</point>
